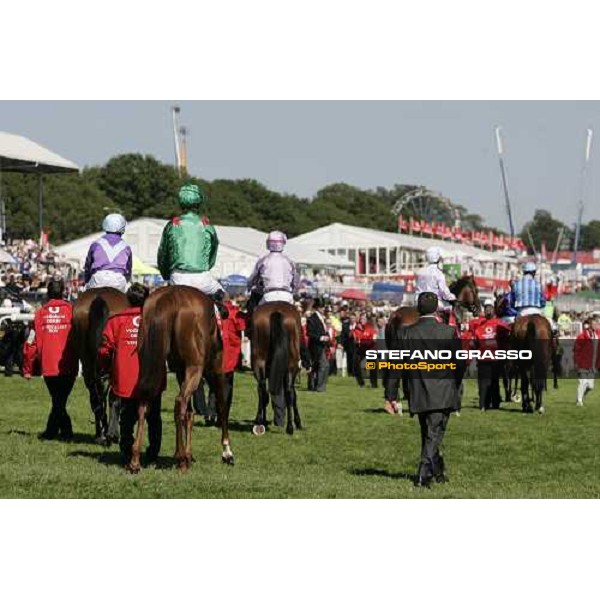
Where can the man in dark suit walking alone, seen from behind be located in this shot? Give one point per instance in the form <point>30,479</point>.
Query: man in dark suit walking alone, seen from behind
<point>433,395</point>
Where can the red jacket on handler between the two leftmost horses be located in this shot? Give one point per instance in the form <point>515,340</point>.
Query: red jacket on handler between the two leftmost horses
<point>118,351</point>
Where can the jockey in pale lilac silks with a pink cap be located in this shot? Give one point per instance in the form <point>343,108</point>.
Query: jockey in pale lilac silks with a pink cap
<point>275,276</point>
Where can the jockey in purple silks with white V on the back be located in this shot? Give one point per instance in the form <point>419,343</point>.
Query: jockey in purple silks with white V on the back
<point>109,259</point>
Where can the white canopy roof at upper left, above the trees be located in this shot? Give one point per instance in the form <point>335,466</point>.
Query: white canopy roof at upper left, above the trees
<point>17,153</point>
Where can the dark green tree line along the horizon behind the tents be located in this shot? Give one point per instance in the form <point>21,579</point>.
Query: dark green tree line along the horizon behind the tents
<point>140,186</point>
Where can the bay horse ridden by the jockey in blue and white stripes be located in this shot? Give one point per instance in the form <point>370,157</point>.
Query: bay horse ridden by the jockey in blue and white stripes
<point>533,332</point>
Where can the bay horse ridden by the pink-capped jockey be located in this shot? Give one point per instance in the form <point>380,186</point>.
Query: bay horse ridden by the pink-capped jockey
<point>275,341</point>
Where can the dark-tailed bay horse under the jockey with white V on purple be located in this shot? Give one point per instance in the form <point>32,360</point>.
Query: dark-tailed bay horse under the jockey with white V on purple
<point>90,313</point>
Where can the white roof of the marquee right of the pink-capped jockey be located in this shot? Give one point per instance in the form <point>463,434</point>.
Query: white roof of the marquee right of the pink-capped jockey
<point>338,235</point>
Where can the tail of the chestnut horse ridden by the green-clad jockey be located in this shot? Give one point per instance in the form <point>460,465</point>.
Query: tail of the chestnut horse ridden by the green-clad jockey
<point>153,349</point>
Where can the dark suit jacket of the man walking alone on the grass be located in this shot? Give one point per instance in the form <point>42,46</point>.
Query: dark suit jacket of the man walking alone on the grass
<point>434,390</point>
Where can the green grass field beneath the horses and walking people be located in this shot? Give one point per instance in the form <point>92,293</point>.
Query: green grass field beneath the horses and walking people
<point>350,448</point>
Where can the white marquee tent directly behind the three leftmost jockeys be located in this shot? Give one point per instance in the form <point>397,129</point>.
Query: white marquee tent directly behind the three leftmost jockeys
<point>239,248</point>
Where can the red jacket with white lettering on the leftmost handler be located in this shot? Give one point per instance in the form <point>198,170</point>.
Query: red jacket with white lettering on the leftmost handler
<point>52,346</point>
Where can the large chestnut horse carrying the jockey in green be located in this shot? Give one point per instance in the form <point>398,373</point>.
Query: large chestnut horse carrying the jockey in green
<point>179,326</point>
